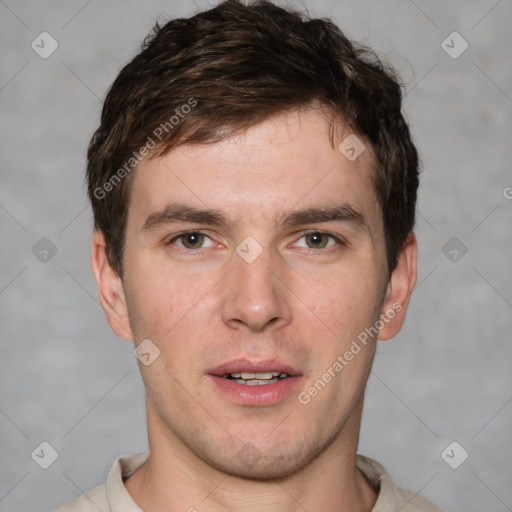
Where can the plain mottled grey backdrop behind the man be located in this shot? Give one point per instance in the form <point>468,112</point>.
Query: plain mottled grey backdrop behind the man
<point>66,379</point>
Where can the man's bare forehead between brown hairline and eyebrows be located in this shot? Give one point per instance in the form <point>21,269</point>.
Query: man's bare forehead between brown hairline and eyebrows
<point>284,162</point>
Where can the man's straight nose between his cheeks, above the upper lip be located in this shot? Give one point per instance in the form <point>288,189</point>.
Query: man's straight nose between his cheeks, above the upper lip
<point>255,296</point>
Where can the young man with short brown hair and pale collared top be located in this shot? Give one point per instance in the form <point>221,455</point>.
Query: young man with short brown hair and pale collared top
<point>253,184</point>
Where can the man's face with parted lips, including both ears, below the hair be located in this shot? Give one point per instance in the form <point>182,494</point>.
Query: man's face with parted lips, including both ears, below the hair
<point>262,253</point>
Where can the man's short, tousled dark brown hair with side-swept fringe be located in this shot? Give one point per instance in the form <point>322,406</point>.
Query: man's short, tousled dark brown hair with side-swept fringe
<point>234,66</point>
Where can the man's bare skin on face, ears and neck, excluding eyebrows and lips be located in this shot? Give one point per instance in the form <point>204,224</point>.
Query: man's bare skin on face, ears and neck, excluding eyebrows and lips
<point>303,301</point>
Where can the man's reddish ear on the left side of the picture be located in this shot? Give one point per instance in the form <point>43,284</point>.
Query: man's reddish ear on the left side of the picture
<point>110,288</point>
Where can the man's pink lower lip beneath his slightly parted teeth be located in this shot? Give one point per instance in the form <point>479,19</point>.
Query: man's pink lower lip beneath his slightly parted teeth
<point>256,396</point>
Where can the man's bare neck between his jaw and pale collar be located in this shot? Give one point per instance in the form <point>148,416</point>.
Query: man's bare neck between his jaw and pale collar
<point>175,478</point>
